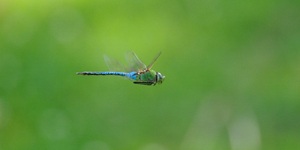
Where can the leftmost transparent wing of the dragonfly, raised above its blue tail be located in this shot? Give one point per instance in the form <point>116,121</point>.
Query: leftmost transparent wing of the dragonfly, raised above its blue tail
<point>114,65</point>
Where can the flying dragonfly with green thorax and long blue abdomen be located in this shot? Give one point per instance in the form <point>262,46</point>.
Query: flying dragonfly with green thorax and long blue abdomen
<point>136,71</point>
